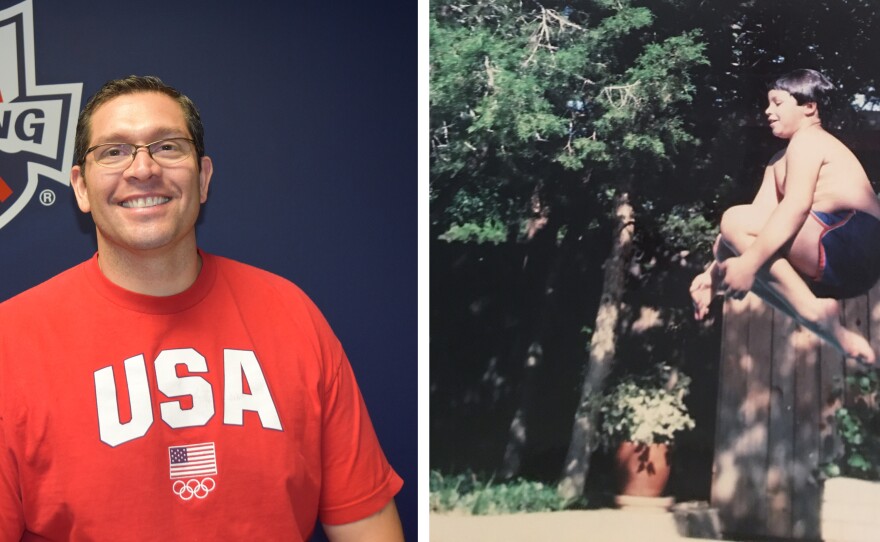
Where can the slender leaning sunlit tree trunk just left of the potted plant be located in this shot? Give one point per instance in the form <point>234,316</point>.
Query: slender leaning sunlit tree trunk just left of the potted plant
<point>584,434</point>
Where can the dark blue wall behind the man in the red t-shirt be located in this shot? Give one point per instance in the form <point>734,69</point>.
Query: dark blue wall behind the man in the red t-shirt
<point>310,117</point>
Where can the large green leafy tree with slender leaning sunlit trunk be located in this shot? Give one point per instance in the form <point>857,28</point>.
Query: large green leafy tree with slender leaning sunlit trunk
<point>545,118</point>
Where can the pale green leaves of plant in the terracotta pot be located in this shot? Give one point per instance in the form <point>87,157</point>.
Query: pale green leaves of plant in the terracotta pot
<point>646,408</point>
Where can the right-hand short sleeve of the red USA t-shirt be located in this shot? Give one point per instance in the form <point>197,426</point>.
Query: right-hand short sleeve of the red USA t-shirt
<point>357,480</point>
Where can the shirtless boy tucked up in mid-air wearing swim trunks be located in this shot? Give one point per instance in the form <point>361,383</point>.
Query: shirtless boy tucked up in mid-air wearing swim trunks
<point>812,234</point>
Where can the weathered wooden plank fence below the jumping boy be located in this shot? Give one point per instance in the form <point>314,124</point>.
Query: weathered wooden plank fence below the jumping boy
<point>775,416</point>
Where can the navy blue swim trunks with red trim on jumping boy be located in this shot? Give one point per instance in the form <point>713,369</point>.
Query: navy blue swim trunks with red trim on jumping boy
<point>849,254</point>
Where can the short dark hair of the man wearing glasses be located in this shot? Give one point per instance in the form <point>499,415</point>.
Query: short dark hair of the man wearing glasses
<point>131,85</point>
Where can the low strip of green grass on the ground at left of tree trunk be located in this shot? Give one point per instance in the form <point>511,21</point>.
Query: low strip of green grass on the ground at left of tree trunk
<point>465,493</point>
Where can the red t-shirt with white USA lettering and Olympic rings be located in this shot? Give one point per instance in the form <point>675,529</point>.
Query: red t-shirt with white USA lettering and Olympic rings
<point>226,412</point>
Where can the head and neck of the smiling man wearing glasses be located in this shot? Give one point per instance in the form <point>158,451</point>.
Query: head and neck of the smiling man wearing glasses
<point>144,199</point>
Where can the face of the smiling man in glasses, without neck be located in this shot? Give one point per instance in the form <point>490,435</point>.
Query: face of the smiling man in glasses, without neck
<point>145,206</point>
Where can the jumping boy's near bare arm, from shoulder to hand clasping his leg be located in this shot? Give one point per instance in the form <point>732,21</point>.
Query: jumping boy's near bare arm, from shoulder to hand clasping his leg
<point>803,160</point>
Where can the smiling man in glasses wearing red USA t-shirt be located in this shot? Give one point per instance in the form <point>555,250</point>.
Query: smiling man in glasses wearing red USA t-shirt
<point>157,392</point>
